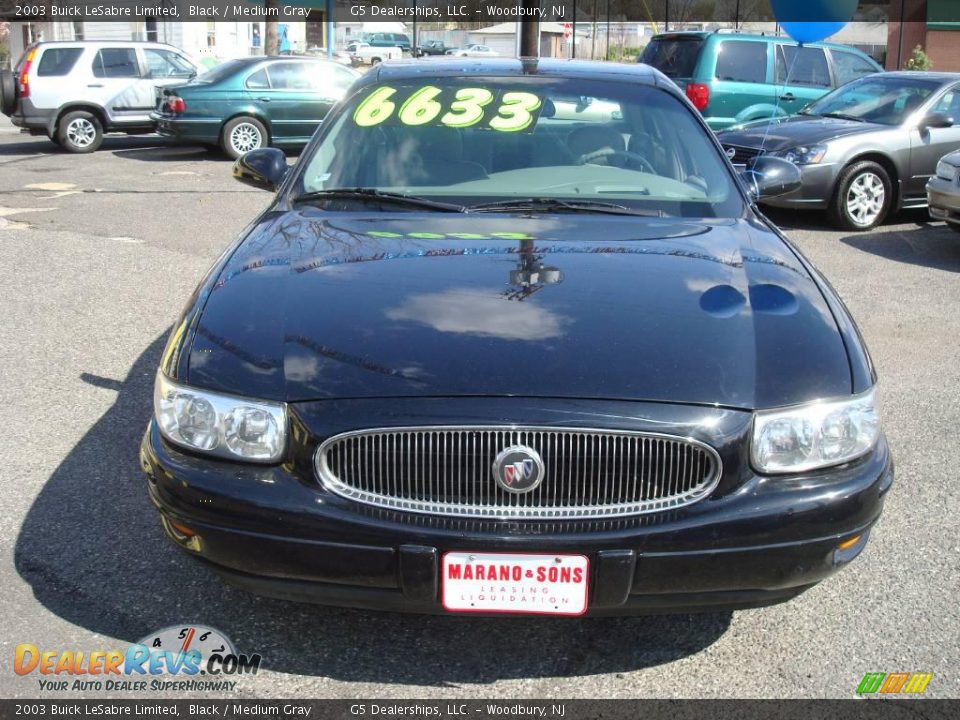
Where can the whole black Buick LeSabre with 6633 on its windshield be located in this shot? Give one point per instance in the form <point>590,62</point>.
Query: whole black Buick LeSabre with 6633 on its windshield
<point>514,338</point>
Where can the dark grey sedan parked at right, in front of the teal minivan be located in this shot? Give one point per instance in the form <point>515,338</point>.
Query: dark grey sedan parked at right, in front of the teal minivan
<point>864,150</point>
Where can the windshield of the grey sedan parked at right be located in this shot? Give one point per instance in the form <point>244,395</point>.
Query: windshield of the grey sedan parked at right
<point>876,99</point>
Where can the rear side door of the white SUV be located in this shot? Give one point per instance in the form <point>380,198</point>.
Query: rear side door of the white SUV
<point>115,84</point>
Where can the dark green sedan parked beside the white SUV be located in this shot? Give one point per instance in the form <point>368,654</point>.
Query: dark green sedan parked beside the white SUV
<point>254,102</point>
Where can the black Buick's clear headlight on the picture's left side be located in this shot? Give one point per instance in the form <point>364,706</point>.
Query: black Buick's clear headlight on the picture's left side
<point>222,425</point>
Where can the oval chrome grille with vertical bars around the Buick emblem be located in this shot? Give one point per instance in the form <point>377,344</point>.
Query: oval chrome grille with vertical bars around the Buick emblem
<point>448,471</point>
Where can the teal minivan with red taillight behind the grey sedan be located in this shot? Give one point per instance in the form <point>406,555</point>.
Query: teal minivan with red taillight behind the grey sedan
<point>734,77</point>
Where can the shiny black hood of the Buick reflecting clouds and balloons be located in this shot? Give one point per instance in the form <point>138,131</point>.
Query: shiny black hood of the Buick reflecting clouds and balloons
<point>316,305</point>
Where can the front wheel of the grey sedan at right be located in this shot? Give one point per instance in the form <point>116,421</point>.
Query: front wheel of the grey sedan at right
<point>863,197</point>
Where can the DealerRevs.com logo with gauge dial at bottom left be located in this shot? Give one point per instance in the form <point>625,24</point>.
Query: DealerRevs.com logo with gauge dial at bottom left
<point>174,658</point>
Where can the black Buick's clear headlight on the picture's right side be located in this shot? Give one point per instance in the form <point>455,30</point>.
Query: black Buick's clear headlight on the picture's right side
<point>815,435</point>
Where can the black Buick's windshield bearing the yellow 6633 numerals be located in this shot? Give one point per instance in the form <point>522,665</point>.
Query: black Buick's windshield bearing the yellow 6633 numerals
<point>471,141</point>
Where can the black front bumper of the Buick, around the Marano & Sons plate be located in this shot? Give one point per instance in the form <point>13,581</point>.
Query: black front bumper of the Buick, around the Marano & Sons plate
<point>275,532</point>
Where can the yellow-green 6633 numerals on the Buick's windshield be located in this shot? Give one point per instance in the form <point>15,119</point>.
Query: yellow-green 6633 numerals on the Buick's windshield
<point>468,107</point>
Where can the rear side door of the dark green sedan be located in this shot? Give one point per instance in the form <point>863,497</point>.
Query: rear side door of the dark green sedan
<point>292,101</point>
